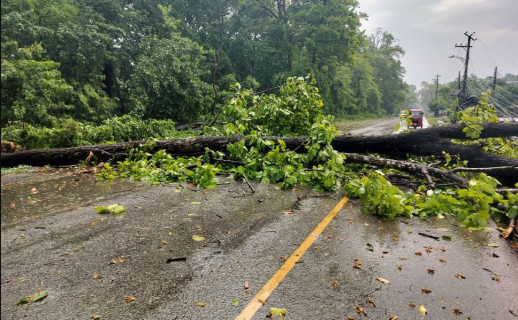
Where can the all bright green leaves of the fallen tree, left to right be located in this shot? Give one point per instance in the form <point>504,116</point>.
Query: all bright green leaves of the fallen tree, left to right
<point>320,166</point>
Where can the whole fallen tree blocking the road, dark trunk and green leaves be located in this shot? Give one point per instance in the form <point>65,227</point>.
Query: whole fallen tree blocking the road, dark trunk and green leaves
<point>300,147</point>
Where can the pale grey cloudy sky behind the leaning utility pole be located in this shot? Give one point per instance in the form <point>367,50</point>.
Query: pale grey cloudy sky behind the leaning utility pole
<point>429,29</point>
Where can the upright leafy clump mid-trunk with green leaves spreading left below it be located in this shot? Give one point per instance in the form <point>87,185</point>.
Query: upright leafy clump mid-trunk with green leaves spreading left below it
<point>262,160</point>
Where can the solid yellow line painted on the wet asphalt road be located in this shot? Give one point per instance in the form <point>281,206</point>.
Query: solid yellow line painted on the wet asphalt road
<point>260,298</point>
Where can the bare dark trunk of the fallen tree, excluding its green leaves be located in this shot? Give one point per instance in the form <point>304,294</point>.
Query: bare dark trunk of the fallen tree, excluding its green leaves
<point>426,142</point>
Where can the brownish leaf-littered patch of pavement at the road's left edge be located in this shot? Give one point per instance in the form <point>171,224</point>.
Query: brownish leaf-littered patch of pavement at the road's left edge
<point>28,196</point>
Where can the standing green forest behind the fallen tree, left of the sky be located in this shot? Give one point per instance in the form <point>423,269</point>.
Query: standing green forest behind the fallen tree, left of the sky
<point>67,61</point>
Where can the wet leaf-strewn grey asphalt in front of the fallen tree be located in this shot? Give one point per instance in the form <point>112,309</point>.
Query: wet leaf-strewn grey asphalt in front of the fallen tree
<point>145,264</point>
